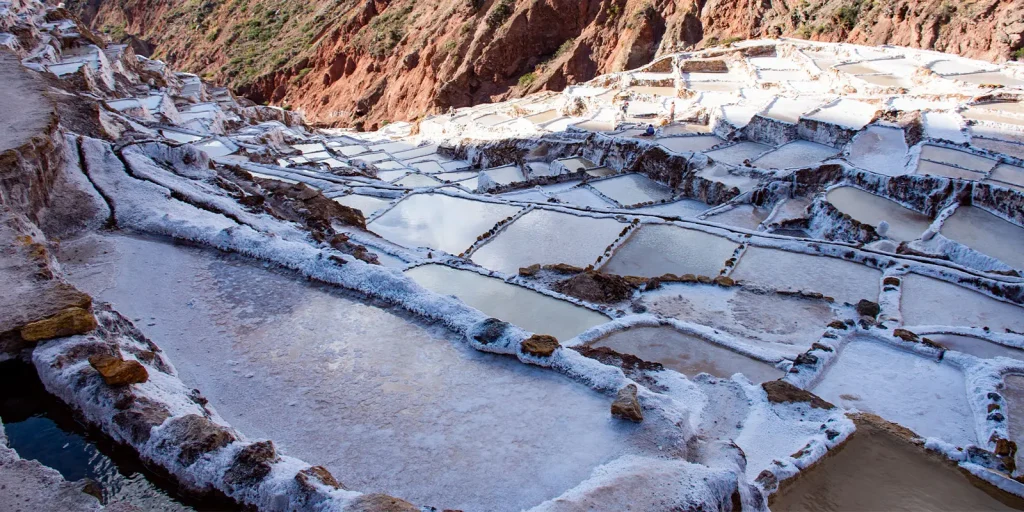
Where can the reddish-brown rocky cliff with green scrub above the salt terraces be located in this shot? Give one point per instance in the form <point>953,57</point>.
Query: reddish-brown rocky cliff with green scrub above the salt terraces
<point>367,62</point>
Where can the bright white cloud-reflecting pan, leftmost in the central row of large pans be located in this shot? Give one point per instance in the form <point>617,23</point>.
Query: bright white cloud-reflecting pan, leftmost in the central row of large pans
<point>546,237</point>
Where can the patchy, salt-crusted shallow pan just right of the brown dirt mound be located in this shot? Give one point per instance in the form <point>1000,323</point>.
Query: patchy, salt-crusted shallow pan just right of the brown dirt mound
<point>788,326</point>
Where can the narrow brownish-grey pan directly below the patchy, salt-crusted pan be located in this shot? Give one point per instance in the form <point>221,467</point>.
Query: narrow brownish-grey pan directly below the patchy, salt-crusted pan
<point>688,355</point>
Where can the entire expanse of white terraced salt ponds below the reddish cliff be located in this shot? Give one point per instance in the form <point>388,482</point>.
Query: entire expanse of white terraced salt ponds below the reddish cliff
<point>663,289</point>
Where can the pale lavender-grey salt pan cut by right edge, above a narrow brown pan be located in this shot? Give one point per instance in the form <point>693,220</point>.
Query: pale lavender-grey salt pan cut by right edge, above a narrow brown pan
<point>926,302</point>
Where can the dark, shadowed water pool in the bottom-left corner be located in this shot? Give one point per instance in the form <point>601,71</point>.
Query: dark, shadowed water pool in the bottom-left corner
<point>41,428</point>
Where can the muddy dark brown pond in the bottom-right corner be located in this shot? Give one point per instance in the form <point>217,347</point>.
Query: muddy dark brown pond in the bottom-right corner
<point>877,471</point>
